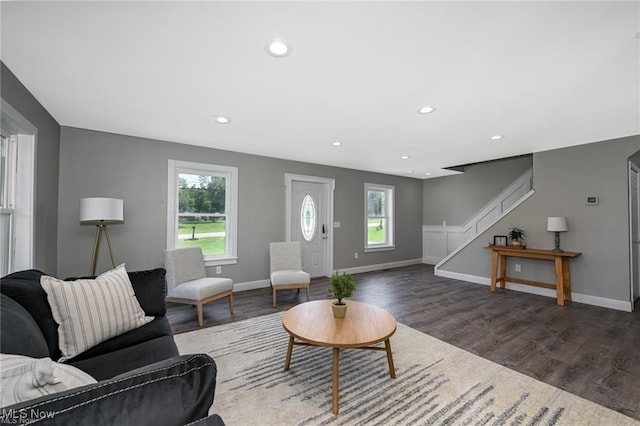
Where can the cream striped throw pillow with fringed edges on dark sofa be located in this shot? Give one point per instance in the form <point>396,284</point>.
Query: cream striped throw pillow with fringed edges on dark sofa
<point>90,311</point>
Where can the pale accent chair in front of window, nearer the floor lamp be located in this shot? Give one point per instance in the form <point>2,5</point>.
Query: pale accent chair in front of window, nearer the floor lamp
<point>187,280</point>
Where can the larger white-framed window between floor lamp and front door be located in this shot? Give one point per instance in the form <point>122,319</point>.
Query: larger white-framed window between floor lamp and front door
<point>202,210</point>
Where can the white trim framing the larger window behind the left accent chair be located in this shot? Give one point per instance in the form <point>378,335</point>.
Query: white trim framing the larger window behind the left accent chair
<point>231,206</point>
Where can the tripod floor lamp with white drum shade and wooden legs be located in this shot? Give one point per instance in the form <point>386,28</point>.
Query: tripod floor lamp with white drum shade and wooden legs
<point>101,212</point>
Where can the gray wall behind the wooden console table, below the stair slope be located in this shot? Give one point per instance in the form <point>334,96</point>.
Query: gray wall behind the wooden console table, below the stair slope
<point>563,178</point>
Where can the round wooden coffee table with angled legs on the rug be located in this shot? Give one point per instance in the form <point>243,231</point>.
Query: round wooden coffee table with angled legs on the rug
<point>313,324</point>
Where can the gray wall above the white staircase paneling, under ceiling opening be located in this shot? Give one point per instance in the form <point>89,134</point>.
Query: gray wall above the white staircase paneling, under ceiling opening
<point>455,199</point>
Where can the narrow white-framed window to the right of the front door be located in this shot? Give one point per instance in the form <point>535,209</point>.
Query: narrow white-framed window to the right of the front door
<point>378,217</point>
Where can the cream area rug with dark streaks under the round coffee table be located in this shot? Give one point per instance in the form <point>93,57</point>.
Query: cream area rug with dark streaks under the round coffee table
<point>436,383</point>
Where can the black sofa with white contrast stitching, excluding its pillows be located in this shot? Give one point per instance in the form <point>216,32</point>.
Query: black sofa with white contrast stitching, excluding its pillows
<point>141,377</point>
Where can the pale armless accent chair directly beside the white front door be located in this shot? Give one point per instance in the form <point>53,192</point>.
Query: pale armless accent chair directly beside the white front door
<point>286,268</point>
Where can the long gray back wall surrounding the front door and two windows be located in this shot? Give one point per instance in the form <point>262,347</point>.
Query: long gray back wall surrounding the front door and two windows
<point>135,169</point>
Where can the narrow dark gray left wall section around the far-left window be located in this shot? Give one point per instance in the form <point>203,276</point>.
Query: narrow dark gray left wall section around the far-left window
<point>47,155</point>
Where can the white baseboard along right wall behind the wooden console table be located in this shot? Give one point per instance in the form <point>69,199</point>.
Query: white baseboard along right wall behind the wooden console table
<point>587,299</point>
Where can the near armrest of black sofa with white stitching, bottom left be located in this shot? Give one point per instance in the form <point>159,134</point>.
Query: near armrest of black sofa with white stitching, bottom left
<point>172,392</point>
